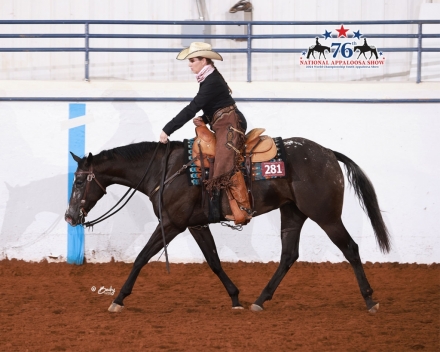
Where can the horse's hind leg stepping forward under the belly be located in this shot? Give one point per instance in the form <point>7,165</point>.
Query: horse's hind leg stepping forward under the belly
<point>292,220</point>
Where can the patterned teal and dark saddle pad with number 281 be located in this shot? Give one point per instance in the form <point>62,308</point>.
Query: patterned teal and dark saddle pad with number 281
<point>194,172</point>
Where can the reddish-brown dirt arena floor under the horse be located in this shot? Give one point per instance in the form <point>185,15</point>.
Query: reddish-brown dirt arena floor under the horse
<point>318,307</point>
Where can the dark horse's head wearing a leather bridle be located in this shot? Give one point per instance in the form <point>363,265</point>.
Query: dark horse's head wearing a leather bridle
<point>86,191</point>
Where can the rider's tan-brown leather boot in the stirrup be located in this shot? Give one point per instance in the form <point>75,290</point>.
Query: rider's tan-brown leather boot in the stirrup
<point>238,200</point>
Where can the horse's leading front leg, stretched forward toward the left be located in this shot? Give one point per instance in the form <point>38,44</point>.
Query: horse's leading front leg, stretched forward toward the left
<point>153,246</point>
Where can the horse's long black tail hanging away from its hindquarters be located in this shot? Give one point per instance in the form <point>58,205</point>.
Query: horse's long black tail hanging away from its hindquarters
<point>367,197</point>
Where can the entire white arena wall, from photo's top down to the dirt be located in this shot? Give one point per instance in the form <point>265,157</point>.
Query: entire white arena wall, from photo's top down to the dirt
<point>395,144</point>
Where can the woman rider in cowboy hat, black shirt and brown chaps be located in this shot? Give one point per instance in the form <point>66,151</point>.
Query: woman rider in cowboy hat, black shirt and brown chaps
<point>228,123</point>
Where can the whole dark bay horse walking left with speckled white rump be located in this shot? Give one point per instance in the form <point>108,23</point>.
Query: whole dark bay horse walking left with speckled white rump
<point>313,188</point>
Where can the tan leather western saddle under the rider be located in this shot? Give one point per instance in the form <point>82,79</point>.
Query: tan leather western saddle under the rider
<point>258,148</point>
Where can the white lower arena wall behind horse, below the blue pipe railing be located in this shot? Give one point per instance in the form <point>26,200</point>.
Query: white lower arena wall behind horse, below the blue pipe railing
<point>395,144</point>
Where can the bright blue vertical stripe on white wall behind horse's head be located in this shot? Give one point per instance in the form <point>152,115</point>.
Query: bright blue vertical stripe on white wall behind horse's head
<point>75,235</point>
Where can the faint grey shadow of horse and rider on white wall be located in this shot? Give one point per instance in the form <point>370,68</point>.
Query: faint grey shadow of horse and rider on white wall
<point>36,210</point>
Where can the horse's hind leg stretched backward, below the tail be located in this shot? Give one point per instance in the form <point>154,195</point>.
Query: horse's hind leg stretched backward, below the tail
<point>342,239</point>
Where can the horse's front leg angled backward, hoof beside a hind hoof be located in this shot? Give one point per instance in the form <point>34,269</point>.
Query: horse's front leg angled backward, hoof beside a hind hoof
<point>204,239</point>
